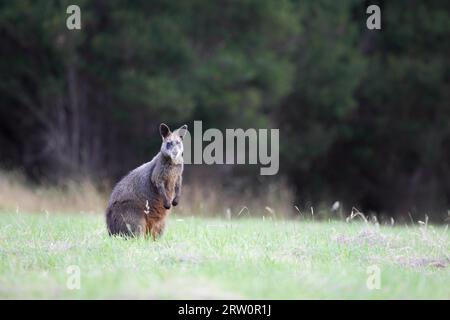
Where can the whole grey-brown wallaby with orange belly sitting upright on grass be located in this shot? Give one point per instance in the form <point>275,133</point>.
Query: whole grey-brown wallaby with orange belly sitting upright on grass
<point>139,203</point>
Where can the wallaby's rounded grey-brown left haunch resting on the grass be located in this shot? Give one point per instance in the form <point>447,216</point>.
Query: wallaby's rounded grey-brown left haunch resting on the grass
<point>126,219</point>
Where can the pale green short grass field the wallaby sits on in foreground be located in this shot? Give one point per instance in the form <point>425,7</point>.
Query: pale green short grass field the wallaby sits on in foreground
<point>201,258</point>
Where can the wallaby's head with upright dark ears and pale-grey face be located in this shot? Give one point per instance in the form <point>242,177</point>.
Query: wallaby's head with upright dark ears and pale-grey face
<point>172,144</point>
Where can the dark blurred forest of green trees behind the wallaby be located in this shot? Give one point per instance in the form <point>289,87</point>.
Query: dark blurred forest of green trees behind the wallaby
<point>364,115</point>
